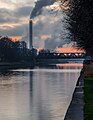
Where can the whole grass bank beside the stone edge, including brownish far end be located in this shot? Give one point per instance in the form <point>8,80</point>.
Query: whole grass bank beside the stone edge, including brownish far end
<point>88,92</point>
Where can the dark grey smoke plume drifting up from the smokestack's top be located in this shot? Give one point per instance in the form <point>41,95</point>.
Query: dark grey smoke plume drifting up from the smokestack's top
<point>39,5</point>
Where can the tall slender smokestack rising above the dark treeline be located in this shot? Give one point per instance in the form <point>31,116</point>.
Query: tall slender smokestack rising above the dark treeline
<point>30,33</point>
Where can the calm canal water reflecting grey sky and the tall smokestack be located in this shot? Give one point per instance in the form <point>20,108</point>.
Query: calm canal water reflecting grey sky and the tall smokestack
<point>37,94</point>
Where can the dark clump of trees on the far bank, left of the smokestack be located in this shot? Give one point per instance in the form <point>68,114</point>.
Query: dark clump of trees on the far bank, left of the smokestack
<point>11,51</point>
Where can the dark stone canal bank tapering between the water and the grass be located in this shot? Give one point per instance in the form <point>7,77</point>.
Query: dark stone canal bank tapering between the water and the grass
<point>75,109</point>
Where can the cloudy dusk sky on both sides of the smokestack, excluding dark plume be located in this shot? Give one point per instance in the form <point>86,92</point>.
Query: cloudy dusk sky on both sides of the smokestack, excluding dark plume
<point>48,27</point>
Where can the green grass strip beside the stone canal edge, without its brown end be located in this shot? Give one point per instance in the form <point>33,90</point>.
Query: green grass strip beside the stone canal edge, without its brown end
<point>88,98</point>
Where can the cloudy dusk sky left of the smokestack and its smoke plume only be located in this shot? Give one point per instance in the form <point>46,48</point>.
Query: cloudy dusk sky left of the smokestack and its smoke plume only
<point>14,16</point>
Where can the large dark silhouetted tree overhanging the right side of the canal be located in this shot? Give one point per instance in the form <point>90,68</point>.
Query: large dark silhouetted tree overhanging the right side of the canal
<point>80,23</point>
